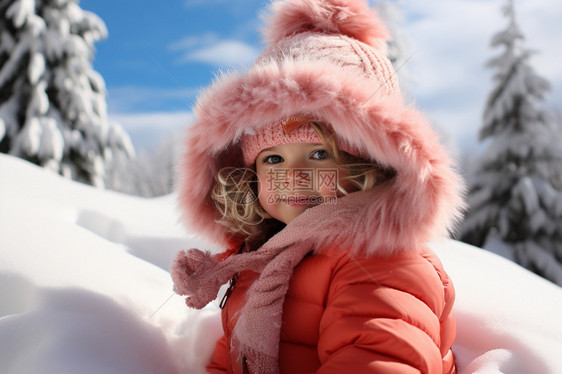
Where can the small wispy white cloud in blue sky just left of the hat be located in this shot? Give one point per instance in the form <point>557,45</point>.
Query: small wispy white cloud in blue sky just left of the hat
<point>210,49</point>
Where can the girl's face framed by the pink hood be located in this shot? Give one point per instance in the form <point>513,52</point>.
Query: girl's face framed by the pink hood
<point>296,176</point>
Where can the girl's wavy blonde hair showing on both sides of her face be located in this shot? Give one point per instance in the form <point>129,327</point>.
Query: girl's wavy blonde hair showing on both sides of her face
<point>235,191</point>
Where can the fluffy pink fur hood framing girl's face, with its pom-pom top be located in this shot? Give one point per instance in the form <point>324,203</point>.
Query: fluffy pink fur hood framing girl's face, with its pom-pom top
<point>424,199</point>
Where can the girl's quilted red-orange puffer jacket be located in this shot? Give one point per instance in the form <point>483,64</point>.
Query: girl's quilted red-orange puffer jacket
<point>344,314</point>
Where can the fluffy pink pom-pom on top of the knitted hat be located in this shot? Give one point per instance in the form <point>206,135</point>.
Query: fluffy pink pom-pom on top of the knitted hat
<point>352,18</point>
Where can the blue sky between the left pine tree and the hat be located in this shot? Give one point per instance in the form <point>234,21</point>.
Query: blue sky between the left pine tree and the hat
<point>150,61</point>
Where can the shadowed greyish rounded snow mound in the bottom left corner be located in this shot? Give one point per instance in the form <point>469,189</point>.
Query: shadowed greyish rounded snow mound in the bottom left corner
<point>78,331</point>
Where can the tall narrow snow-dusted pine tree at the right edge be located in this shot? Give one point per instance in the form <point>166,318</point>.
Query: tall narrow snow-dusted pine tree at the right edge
<point>515,201</point>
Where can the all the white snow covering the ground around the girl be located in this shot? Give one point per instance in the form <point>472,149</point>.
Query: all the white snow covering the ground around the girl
<point>85,289</point>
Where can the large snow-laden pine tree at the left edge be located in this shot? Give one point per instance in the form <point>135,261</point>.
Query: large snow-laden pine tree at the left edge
<point>52,103</point>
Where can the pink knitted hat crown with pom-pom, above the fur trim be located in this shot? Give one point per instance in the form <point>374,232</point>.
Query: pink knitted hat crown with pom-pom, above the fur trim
<point>345,33</point>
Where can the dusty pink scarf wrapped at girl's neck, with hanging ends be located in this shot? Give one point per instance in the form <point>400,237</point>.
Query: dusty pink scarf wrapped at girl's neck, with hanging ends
<point>199,275</point>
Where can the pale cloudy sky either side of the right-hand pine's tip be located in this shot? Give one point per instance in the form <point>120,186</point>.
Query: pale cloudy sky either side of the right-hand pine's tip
<point>450,43</point>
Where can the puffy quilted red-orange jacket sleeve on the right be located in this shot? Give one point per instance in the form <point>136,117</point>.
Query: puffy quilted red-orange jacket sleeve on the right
<point>382,317</point>
